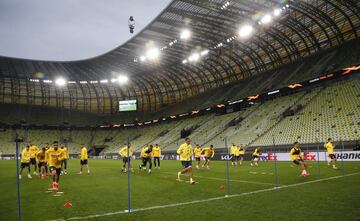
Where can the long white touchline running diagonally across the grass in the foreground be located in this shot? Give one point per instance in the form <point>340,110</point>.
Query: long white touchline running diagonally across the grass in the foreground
<point>204,200</point>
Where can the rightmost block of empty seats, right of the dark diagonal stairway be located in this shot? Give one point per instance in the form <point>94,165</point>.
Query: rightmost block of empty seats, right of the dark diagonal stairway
<point>333,112</point>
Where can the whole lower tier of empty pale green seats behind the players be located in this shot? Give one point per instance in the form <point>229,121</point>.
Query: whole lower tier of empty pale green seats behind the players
<point>334,107</point>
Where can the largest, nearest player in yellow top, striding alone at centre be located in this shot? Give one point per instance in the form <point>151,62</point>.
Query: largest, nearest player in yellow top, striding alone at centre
<point>186,152</point>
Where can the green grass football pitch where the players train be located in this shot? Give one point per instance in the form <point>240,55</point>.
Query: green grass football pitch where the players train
<point>105,191</point>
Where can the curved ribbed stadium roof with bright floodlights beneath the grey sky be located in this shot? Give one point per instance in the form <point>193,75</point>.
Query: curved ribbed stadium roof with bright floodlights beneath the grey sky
<point>298,29</point>
